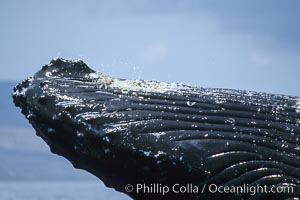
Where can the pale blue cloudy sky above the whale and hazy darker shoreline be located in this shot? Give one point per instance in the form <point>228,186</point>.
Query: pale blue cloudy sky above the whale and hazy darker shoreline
<point>252,45</point>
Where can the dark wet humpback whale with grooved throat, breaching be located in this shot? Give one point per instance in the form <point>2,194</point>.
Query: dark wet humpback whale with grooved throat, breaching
<point>143,137</point>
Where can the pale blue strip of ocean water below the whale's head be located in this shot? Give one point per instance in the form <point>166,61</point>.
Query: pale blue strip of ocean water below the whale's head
<point>57,190</point>
